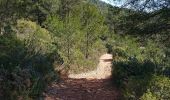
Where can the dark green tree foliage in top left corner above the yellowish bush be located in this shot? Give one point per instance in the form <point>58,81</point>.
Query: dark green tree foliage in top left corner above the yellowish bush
<point>36,10</point>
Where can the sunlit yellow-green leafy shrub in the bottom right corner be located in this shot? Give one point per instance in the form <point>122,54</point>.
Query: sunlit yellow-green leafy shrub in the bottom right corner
<point>159,89</point>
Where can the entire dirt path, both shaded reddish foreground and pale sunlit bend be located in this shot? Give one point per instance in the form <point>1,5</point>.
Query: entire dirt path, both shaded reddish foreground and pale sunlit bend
<point>94,85</point>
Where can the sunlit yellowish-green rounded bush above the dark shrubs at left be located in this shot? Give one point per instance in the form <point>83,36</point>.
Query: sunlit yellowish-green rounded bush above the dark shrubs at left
<point>36,38</point>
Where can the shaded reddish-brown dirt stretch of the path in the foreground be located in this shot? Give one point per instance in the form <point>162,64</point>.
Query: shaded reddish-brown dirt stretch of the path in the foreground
<point>83,89</point>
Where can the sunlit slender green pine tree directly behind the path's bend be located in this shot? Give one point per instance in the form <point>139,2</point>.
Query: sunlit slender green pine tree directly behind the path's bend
<point>92,24</point>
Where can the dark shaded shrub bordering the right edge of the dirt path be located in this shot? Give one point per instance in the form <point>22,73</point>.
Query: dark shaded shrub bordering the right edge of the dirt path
<point>133,76</point>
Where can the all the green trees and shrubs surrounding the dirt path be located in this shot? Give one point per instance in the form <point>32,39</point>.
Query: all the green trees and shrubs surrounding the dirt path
<point>36,35</point>
